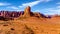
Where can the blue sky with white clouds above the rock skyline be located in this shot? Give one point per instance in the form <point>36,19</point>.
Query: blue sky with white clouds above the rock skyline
<point>43,6</point>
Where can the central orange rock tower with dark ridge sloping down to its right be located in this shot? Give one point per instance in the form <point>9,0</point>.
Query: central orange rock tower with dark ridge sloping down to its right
<point>28,13</point>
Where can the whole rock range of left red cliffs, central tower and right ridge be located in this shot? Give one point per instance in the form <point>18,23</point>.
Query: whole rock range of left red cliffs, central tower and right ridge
<point>26,13</point>
